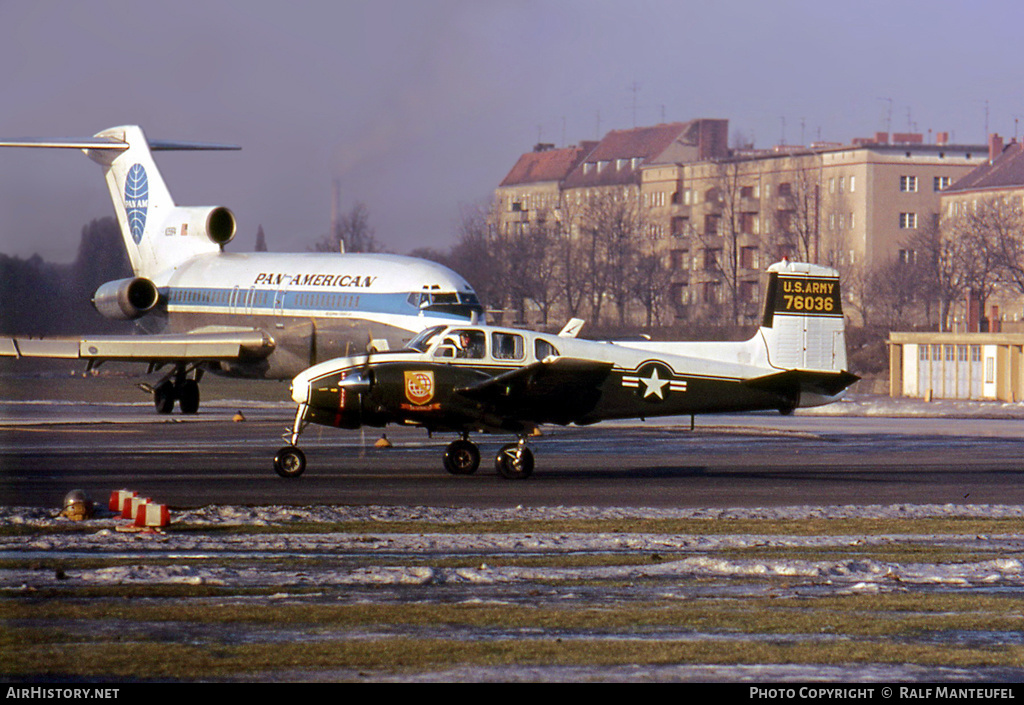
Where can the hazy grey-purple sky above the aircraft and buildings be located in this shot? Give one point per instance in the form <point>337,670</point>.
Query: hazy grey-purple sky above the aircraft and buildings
<point>419,108</point>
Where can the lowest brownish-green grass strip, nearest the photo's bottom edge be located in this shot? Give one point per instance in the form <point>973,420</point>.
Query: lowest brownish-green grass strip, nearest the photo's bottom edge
<point>143,660</point>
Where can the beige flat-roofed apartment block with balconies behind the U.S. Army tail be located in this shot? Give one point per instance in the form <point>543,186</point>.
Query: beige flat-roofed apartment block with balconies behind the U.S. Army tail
<point>855,208</point>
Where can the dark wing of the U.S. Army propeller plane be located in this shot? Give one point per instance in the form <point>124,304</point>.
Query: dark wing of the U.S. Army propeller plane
<point>558,390</point>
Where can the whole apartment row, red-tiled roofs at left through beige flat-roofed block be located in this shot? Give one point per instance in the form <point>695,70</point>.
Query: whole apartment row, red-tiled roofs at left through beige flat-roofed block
<point>718,217</point>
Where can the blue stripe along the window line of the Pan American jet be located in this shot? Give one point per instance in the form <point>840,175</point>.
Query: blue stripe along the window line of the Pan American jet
<point>305,303</point>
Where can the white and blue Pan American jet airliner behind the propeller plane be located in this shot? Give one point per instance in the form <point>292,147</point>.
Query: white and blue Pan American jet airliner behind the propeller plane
<point>262,315</point>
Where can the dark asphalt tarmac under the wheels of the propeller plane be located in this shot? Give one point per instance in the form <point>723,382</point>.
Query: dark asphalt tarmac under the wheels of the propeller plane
<point>50,448</point>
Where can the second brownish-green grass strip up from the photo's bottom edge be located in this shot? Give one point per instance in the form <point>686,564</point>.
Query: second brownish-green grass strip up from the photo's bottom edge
<point>880,615</point>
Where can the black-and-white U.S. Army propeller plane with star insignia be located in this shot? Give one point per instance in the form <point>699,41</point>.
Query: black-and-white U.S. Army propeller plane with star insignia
<point>465,380</point>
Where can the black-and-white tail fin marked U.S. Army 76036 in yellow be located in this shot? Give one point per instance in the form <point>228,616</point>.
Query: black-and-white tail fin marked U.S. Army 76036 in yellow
<point>803,327</point>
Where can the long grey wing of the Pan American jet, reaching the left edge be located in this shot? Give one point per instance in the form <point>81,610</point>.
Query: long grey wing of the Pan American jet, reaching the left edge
<point>154,349</point>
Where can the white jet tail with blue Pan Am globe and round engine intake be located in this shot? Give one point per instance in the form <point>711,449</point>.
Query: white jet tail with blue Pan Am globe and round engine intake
<point>158,235</point>
